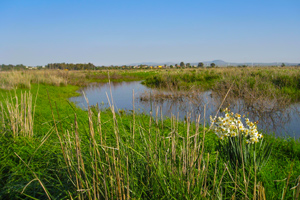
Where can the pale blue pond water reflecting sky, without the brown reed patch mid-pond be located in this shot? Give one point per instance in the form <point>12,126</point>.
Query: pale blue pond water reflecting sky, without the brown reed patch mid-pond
<point>282,122</point>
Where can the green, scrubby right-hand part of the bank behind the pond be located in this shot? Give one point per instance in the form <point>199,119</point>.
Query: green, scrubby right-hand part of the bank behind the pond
<point>272,82</point>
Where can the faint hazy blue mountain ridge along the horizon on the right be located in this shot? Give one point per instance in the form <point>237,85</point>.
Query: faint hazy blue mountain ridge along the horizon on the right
<point>218,63</point>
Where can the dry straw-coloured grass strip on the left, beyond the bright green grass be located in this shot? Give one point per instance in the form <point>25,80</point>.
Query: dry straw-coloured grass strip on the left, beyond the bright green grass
<point>24,79</point>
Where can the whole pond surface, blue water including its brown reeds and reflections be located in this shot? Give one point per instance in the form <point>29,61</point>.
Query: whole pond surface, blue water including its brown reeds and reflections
<point>271,117</point>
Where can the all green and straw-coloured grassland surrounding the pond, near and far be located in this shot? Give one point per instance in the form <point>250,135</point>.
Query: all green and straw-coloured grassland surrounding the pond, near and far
<point>51,149</point>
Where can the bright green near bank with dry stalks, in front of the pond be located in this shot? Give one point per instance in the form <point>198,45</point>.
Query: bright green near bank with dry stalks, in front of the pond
<point>102,154</point>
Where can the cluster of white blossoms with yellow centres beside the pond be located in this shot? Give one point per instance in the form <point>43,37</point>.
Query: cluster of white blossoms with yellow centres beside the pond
<point>232,126</point>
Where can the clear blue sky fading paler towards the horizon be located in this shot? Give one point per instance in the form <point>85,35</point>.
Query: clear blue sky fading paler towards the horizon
<point>117,32</point>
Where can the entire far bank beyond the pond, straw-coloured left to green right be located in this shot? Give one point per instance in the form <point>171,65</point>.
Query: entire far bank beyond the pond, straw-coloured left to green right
<point>248,82</point>
